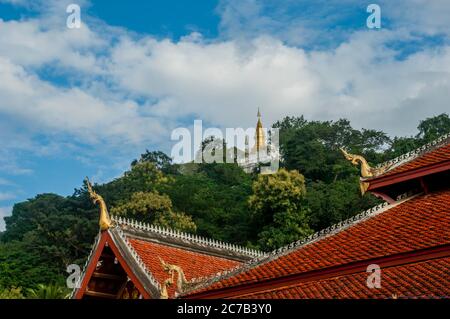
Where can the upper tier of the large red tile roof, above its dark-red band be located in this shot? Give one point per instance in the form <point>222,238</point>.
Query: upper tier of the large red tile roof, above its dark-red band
<point>418,223</point>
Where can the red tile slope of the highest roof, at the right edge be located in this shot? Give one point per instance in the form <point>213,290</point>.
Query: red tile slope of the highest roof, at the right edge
<point>438,155</point>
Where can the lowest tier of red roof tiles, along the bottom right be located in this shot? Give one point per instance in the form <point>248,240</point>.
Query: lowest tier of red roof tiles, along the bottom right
<point>427,279</point>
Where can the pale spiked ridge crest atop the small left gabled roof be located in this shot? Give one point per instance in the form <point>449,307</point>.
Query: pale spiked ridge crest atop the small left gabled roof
<point>186,236</point>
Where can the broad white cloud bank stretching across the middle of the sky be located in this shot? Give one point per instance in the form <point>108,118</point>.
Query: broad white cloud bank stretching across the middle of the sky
<point>221,81</point>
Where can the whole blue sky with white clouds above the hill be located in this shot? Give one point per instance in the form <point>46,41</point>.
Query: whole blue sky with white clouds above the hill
<point>77,102</point>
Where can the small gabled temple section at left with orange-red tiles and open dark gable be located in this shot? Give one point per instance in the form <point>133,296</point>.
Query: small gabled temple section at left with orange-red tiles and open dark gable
<point>132,260</point>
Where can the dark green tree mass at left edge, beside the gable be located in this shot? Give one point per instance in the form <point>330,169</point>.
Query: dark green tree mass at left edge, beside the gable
<point>44,235</point>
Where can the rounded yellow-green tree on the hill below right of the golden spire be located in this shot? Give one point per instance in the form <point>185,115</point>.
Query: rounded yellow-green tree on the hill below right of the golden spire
<point>278,207</point>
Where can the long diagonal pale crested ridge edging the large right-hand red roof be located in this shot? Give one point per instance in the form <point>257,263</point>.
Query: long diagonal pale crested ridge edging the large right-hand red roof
<point>331,230</point>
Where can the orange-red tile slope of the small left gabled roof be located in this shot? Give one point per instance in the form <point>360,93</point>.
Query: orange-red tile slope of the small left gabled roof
<point>194,264</point>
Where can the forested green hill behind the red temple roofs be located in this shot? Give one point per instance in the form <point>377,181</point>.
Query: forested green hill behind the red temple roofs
<point>315,188</point>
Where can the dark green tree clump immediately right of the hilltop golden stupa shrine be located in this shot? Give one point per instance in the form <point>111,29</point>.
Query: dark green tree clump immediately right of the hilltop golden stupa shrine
<point>313,147</point>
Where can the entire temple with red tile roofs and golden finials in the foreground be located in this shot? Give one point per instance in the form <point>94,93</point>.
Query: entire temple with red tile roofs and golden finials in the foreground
<point>398,249</point>
